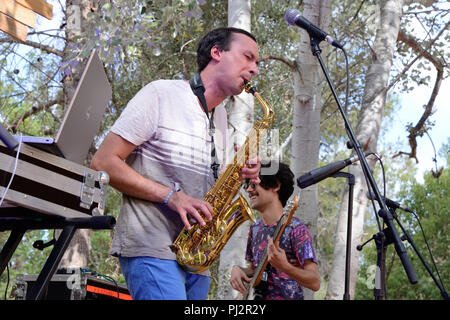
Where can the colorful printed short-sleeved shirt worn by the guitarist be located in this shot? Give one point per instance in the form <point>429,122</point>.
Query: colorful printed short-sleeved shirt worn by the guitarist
<point>295,241</point>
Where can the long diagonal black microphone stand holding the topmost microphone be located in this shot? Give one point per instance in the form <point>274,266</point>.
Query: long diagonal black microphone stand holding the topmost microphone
<point>387,217</point>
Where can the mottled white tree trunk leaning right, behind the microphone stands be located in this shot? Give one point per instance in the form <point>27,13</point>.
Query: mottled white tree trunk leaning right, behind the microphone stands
<point>367,132</point>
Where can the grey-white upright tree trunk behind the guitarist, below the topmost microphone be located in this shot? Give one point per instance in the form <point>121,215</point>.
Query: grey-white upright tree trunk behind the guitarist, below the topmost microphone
<point>308,84</point>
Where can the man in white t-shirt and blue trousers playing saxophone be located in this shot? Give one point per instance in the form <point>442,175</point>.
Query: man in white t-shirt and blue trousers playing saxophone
<point>158,155</point>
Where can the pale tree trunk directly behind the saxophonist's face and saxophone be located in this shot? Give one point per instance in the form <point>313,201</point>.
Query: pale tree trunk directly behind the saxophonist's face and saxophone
<point>240,118</point>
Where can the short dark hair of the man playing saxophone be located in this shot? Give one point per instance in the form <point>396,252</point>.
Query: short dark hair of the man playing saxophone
<point>220,37</point>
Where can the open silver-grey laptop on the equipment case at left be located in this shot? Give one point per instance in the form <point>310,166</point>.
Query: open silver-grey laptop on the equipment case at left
<point>82,118</point>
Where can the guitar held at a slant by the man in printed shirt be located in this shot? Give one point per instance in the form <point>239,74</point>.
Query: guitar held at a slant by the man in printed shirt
<point>285,219</point>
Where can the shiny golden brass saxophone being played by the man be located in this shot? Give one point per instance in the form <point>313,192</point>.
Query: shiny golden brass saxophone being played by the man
<point>198,248</point>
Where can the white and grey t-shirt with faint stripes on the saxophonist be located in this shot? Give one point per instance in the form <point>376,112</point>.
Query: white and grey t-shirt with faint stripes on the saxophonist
<point>171,131</point>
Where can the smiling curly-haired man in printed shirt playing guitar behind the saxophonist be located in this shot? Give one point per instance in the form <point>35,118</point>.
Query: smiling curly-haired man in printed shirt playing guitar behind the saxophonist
<point>291,260</point>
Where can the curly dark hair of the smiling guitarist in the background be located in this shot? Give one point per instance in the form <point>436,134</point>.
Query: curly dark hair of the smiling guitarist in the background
<point>284,177</point>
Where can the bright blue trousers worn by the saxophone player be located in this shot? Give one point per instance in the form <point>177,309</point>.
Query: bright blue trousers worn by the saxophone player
<point>151,278</point>
